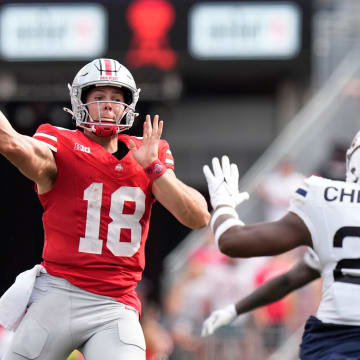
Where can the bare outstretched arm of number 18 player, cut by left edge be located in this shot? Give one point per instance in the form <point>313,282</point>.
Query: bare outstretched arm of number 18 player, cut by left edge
<point>32,157</point>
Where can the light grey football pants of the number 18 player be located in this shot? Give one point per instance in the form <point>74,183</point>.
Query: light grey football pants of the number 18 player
<point>61,317</point>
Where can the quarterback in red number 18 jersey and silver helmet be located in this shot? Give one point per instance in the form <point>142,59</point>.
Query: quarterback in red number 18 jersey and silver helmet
<point>97,186</point>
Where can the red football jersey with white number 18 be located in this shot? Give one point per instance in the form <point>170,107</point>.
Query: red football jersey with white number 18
<point>96,216</point>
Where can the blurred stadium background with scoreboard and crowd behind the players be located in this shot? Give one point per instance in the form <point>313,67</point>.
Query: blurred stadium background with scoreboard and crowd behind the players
<point>262,81</point>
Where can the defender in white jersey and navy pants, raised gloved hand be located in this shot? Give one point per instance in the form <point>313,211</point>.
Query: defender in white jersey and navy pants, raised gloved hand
<point>323,215</point>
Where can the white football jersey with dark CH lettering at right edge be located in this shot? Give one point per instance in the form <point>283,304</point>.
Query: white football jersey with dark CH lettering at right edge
<point>331,211</point>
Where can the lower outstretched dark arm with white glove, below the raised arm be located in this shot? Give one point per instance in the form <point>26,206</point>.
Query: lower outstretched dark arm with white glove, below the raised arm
<point>273,290</point>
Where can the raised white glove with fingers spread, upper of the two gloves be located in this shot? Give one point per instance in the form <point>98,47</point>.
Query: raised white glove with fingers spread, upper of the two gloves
<point>223,183</point>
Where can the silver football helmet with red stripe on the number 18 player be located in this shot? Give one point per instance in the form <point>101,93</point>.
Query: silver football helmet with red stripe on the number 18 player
<point>103,72</point>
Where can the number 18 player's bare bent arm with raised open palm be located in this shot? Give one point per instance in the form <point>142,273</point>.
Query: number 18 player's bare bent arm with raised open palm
<point>184,202</point>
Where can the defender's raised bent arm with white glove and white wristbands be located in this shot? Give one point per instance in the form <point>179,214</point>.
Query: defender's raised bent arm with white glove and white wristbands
<point>233,237</point>
